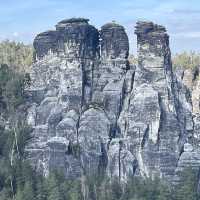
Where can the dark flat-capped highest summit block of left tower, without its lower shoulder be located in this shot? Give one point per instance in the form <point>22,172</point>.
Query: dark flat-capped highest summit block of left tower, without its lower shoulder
<point>78,39</point>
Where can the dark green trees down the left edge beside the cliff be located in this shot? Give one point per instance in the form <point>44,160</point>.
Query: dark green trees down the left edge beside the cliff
<point>14,133</point>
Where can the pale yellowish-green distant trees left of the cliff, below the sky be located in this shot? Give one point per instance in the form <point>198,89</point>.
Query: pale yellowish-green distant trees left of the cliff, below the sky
<point>16,55</point>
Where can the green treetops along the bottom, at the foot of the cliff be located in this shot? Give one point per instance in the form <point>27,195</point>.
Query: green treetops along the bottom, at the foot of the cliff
<point>31,186</point>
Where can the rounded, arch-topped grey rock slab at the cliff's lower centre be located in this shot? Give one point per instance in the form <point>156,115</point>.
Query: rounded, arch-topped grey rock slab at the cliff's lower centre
<point>93,134</point>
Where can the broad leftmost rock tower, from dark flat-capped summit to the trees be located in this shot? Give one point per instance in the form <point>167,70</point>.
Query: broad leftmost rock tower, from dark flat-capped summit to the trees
<point>61,88</point>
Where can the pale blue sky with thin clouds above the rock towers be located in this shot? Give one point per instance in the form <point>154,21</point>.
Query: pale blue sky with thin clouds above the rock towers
<point>21,20</point>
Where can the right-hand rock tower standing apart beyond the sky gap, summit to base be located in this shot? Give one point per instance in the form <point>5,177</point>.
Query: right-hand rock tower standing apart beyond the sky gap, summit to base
<point>152,122</point>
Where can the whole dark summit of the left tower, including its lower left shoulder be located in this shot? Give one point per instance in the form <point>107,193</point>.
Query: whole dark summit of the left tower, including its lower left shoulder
<point>74,38</point>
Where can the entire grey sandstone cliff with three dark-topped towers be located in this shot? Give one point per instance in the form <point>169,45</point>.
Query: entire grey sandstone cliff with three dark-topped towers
<point>92,112</point>
